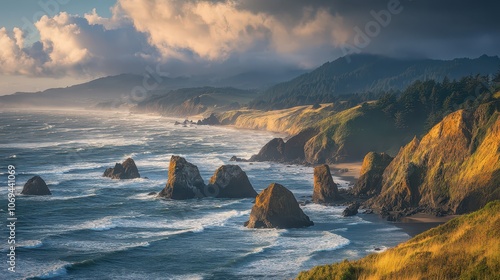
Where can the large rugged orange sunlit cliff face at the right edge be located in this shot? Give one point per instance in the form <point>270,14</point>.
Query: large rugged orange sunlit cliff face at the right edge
<point>455,168</point>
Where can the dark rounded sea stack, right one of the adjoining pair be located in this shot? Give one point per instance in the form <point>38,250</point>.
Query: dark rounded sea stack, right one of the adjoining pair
<point>231,182</point>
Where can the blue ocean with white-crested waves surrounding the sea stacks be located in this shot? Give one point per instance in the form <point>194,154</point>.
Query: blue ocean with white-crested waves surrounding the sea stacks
<point>93,227</point>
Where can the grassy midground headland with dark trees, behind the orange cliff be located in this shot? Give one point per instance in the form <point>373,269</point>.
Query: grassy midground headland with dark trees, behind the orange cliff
<point>383,125</point>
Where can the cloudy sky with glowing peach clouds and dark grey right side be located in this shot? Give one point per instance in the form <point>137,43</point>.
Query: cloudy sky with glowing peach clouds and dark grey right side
<point>57,43</point>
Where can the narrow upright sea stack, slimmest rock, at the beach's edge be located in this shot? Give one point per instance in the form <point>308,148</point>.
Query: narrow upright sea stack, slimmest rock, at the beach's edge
<point>325,190</point>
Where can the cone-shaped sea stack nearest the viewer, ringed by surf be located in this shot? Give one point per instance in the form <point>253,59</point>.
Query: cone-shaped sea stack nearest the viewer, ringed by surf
<point>276,207</point>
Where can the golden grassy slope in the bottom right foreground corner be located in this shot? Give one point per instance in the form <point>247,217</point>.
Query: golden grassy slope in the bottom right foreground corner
<point>467,247</point>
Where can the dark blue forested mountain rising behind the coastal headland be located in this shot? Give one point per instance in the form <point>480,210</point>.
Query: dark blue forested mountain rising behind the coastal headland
<point>368,73</point>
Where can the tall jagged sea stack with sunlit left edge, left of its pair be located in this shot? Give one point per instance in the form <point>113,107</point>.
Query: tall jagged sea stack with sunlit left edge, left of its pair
<point>184,180</point>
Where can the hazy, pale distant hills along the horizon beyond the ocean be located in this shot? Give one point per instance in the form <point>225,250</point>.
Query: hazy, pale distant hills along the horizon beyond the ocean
<point>129,89</point>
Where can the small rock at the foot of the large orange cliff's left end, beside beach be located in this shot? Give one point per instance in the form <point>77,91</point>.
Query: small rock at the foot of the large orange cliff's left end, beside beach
<point>370,179</point>
